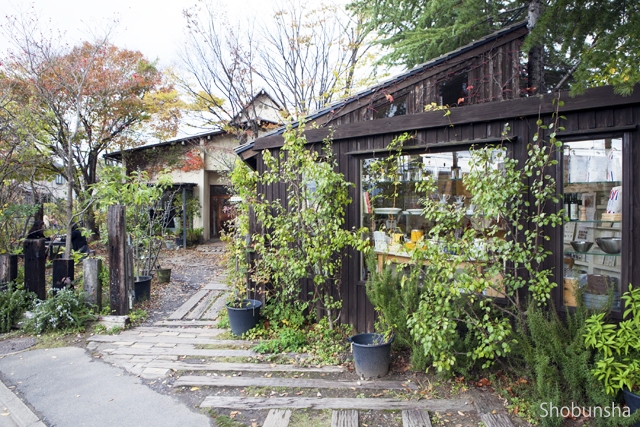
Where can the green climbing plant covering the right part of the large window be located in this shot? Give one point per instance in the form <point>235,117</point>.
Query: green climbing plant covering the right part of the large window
<point>456,321</point>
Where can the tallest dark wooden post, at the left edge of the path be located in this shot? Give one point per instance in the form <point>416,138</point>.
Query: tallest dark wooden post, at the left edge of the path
<point>119,275</point>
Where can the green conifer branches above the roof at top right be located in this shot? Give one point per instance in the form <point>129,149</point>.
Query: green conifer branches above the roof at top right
<point>577,42</point>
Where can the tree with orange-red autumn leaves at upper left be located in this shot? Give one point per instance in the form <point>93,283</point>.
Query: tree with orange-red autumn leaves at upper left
<point>87,99</point>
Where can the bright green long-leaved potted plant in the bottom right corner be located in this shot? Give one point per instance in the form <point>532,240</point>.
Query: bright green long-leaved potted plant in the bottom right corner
<point>618,348</point>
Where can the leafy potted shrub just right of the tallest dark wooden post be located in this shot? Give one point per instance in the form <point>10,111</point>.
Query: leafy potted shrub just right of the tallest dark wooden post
<point>148,214</point>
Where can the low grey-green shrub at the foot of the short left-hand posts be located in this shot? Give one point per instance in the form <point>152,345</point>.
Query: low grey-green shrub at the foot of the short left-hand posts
<point>64,311</point>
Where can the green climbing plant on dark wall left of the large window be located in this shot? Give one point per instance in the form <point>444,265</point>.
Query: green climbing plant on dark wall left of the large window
<point>302,233</point>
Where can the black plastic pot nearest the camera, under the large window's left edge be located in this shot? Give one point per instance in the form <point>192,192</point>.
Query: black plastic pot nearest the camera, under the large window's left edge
<point>371,354</point>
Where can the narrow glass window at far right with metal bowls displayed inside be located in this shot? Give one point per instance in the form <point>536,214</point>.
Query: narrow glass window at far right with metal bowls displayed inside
<point>592,237</point>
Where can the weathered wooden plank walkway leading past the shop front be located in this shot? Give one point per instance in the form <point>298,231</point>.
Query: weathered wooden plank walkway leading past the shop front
<point>170,347</point>
